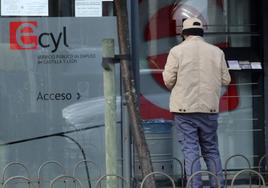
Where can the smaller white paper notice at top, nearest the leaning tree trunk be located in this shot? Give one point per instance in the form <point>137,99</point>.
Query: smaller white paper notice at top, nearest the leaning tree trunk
<point>88,8</point>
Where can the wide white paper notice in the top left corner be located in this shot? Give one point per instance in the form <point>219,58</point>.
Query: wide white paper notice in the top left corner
<point>24,7</point>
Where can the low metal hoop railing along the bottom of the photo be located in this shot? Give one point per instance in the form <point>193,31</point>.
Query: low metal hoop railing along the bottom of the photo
<point>24,177</point>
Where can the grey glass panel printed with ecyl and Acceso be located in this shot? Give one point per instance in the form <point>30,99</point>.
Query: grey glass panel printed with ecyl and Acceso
<point>52,103</point>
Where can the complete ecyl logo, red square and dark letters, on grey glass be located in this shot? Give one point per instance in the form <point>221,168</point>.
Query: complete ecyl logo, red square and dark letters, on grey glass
<point>23,36</point>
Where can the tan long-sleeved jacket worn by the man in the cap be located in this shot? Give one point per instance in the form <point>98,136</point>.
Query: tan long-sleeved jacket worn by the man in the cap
<point>194,72</point>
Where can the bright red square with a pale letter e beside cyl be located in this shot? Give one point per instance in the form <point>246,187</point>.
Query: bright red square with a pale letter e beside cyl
<point>22,35</point>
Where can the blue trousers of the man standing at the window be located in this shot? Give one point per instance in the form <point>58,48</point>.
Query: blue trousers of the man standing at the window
<point>199,131</point>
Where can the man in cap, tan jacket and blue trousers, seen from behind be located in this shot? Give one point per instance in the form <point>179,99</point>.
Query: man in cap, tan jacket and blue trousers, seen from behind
<point>194,72</point>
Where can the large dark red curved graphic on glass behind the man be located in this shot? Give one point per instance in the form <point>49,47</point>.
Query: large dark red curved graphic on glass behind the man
<point>166,23</point>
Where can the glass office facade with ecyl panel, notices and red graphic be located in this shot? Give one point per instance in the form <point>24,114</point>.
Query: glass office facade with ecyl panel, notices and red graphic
<point>51,85</point>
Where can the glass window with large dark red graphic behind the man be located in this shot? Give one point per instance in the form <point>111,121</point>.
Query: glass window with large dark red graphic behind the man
<point>228,24</point>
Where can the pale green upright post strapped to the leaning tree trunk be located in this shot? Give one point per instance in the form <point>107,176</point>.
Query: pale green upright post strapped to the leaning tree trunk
<point>110,113</point>
